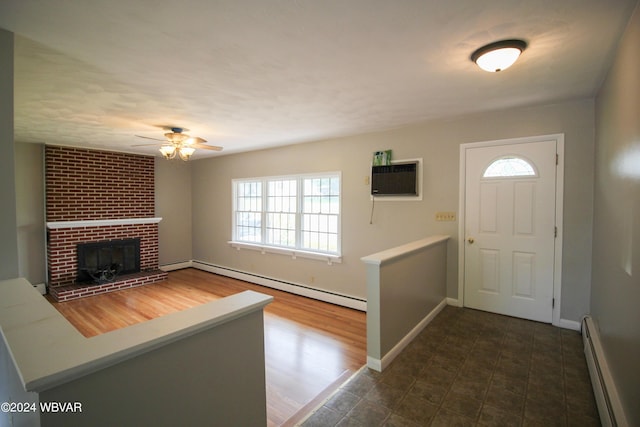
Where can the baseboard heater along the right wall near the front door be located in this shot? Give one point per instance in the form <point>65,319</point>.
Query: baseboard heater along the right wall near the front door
<point>604,390</point>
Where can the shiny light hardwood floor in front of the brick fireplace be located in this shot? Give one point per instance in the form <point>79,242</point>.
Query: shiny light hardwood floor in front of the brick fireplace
<point>310,346</point>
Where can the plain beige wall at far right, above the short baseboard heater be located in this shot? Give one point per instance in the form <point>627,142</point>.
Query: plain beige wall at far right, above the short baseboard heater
<point>615,296</point>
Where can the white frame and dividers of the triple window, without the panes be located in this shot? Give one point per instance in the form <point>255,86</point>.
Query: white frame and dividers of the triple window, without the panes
<point>297,251</point>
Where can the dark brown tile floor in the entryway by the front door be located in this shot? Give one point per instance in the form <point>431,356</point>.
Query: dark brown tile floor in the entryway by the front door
<point>472,368</point>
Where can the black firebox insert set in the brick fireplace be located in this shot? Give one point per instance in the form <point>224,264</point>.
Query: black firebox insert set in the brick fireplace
<point>102,262</point>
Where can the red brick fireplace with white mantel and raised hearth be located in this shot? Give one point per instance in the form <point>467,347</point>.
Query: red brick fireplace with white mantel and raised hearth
<point>98,196</point>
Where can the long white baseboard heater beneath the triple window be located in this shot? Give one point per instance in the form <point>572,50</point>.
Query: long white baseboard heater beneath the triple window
<point>293,288</point>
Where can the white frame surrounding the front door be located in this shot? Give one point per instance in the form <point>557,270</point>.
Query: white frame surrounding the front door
<point>557,271</point>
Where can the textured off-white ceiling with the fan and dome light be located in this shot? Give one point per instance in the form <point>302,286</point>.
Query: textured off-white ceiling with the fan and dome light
<point>248,74</point>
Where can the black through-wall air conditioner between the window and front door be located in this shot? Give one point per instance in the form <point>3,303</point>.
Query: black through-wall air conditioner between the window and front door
<point>397,179</point>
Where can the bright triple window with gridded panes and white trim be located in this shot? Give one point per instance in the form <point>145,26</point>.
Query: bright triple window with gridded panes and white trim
<point>300,213</point>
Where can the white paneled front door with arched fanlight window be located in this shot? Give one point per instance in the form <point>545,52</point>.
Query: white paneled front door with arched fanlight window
<point>509,229</point>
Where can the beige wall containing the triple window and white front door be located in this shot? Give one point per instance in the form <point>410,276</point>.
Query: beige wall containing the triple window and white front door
<point>395,223</point>
